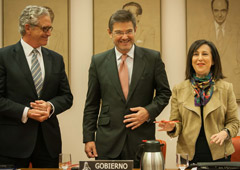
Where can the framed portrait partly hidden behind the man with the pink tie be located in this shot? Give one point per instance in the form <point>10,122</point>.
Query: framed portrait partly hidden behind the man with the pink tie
<point>147,15</point>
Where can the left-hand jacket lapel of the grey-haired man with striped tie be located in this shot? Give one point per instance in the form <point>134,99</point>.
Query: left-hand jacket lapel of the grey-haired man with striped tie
<point>23,65</point>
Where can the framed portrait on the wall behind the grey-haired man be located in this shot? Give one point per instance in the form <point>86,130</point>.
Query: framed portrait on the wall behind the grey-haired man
<point>59,11</point>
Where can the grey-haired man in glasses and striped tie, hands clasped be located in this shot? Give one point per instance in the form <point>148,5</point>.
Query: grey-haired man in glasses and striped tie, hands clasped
<point>33,90</point>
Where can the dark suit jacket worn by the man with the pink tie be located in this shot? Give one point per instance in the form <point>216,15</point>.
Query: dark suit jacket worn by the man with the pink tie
<point>104,85</point>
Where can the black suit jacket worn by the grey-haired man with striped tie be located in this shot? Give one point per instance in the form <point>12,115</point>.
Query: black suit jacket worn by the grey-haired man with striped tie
<point>17,90</point>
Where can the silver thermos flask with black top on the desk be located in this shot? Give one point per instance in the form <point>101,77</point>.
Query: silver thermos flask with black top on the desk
<point>152,157</point>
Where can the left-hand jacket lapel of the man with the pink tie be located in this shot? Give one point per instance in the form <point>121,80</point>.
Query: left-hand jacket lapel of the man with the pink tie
<point>113,72</point>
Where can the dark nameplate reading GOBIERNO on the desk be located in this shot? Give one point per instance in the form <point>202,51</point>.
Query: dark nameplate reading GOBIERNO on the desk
<point>106,165</point>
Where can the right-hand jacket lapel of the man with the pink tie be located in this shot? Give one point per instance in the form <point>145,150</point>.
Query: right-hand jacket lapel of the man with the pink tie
<point>138,67</point>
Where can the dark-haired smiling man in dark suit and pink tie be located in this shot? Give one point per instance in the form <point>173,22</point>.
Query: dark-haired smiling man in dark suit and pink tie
<point>127,112</point>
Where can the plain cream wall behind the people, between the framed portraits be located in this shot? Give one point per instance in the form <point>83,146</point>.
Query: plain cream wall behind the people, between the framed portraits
<point>81,45</point>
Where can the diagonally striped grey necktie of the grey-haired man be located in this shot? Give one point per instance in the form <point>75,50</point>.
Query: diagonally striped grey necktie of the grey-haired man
<point>36,72</point>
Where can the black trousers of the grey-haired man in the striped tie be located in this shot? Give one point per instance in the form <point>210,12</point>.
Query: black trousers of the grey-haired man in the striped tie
<point>40,158</point>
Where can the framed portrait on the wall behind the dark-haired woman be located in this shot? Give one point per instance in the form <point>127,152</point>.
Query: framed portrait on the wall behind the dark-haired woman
<point>219,22</point>
